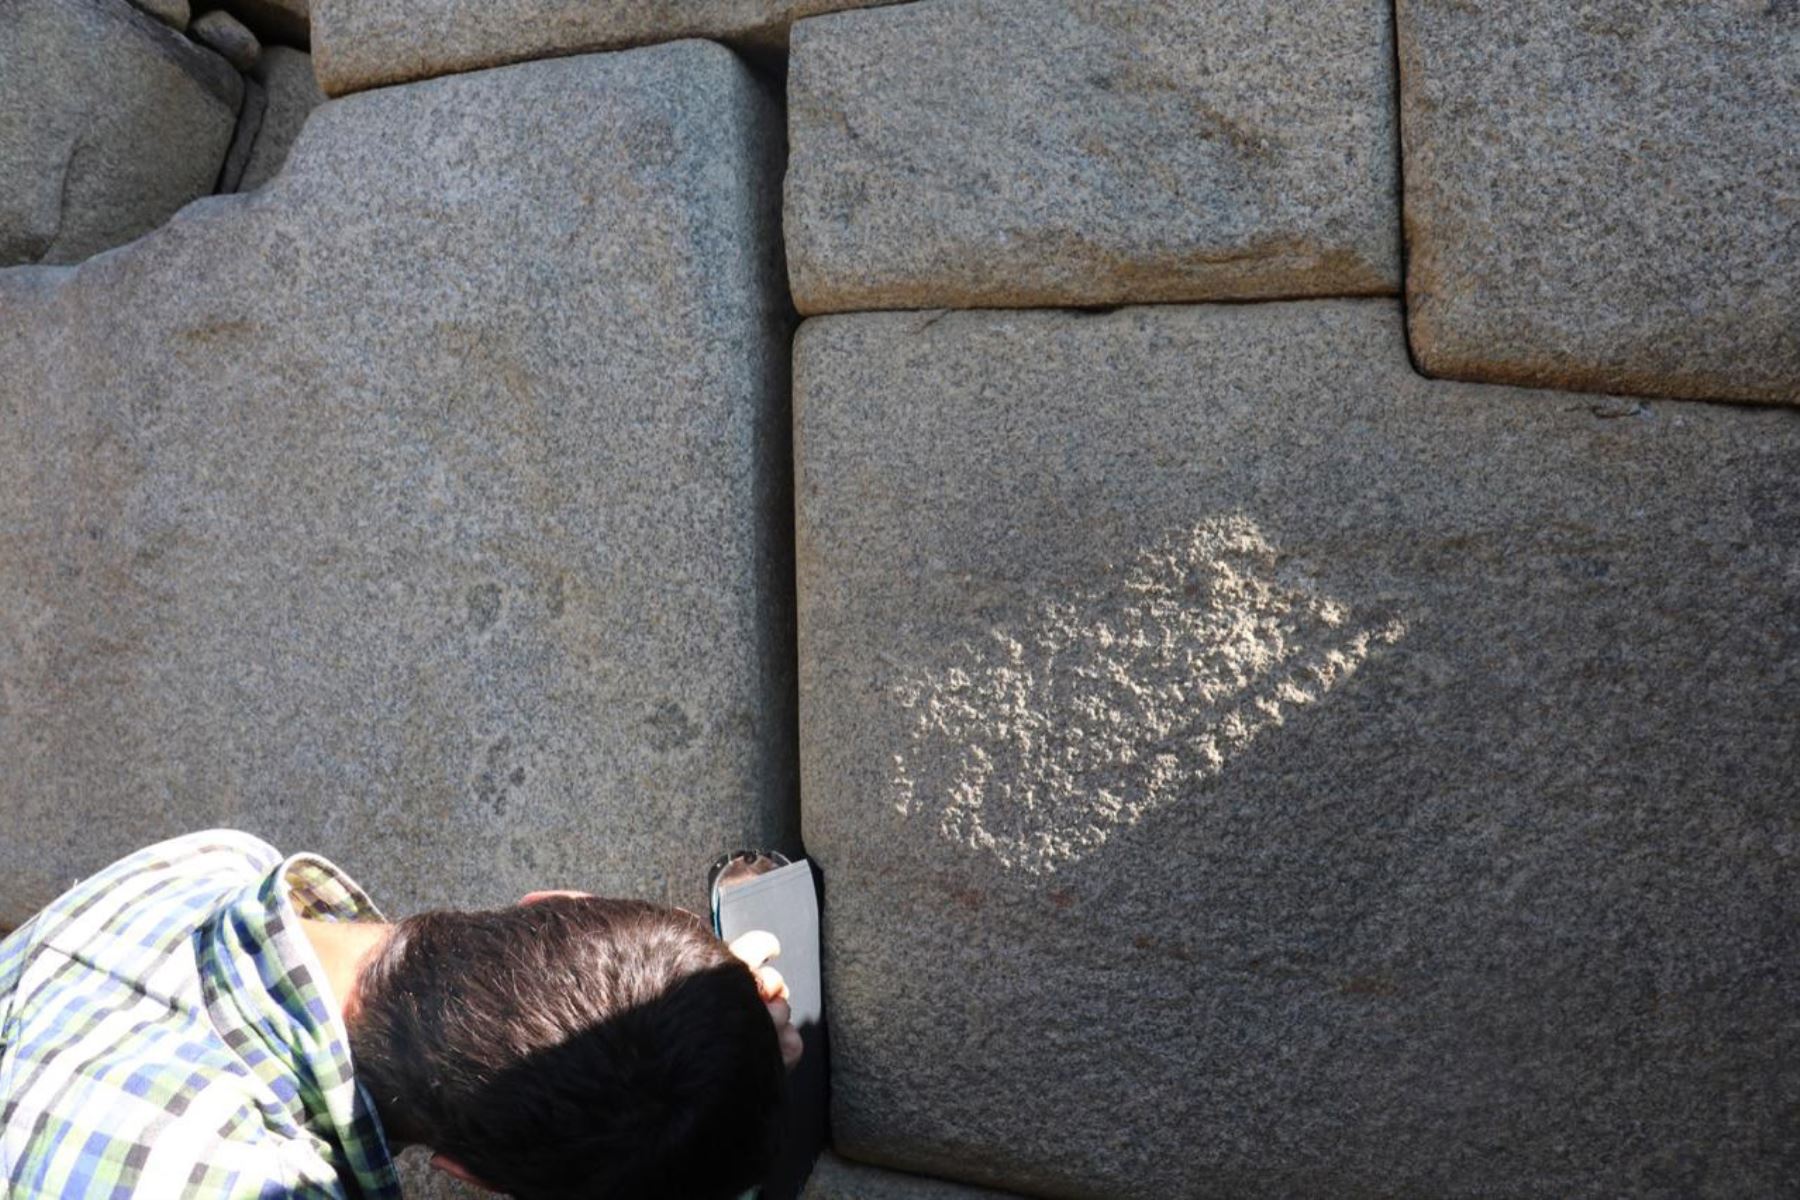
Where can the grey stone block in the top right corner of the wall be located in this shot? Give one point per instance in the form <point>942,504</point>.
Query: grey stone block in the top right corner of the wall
<point>1605,195</point>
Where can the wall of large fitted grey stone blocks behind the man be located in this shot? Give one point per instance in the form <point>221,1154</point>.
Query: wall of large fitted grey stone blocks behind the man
<point>1266,577</point>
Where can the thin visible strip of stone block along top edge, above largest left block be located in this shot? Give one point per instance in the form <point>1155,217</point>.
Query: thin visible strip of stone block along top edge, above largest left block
<point>363,44</point>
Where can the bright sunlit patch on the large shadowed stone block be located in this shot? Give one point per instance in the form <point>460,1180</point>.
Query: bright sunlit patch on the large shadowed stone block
<point>1117,703</point>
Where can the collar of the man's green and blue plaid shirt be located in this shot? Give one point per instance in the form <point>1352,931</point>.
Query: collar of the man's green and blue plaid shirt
<point>274,1007</point>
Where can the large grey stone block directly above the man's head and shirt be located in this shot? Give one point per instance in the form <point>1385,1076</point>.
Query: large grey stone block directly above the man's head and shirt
<point>426,508</point>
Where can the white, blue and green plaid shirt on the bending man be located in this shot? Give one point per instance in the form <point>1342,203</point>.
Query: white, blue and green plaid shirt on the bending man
<point>166,1030</point>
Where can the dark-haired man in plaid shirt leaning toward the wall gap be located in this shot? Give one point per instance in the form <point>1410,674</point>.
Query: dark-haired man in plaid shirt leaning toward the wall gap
<point>210,1019</point>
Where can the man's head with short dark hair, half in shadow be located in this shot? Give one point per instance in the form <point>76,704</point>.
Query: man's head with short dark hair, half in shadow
<point>571,1048</point>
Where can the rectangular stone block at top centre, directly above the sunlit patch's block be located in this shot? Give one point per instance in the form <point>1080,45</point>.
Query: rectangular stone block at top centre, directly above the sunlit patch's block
<point>1012,154</point>
